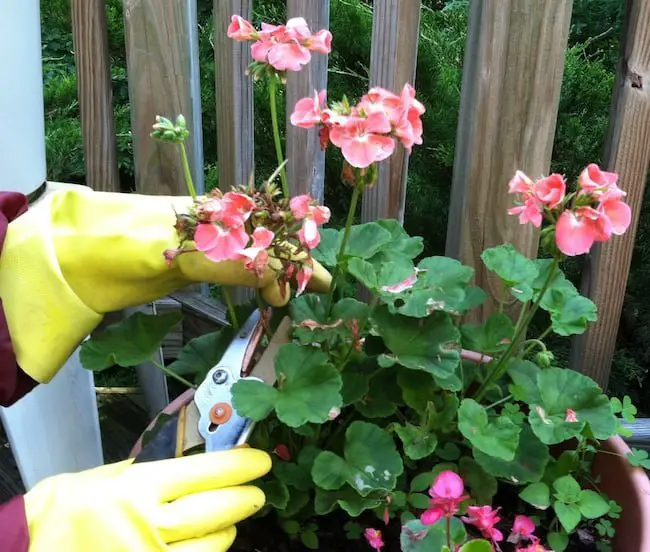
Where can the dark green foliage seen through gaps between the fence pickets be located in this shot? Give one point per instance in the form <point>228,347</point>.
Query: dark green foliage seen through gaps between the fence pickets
<point>582,122</point>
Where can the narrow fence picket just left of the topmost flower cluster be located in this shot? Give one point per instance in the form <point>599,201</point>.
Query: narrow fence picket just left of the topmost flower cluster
<point>234,95</point>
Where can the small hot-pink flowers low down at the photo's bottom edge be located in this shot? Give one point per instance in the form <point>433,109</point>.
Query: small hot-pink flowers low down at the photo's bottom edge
<point>447,493</point>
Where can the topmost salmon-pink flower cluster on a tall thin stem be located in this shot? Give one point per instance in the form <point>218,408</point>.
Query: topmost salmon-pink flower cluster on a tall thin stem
<point>283,47</point>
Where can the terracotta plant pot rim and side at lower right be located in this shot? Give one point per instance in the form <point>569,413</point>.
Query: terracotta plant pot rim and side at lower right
<point>630,487</point>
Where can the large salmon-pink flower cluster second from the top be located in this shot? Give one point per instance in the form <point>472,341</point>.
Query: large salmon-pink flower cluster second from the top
<point>367,132</point>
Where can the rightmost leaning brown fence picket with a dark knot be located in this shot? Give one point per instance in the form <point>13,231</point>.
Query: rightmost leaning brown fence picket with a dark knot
<point>627,152</point>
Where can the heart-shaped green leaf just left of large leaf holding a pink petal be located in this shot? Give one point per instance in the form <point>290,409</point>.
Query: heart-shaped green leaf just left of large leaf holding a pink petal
<point>498,438</point>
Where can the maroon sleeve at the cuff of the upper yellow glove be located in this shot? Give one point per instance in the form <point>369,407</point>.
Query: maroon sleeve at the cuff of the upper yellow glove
<point>14,383</point>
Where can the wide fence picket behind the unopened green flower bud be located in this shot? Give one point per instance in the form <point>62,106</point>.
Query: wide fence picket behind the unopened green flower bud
<point>159,42</point>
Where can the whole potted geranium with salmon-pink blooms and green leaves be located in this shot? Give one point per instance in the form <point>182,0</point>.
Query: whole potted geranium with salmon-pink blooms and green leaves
<point>394,424</point>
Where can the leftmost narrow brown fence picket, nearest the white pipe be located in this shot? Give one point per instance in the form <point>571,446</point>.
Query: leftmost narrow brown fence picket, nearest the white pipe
<point>93,65</point>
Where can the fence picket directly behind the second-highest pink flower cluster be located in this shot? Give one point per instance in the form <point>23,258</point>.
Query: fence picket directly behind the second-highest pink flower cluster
<point>395,32</point>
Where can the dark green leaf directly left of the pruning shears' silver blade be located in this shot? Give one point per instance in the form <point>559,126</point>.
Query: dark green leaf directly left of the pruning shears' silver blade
<point>201,354</point>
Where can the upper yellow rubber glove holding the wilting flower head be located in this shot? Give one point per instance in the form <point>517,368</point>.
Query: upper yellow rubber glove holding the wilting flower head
<point>78,254</point>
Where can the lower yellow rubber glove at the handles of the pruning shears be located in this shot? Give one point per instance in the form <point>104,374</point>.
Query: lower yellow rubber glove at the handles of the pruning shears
<point>186,504</point>
